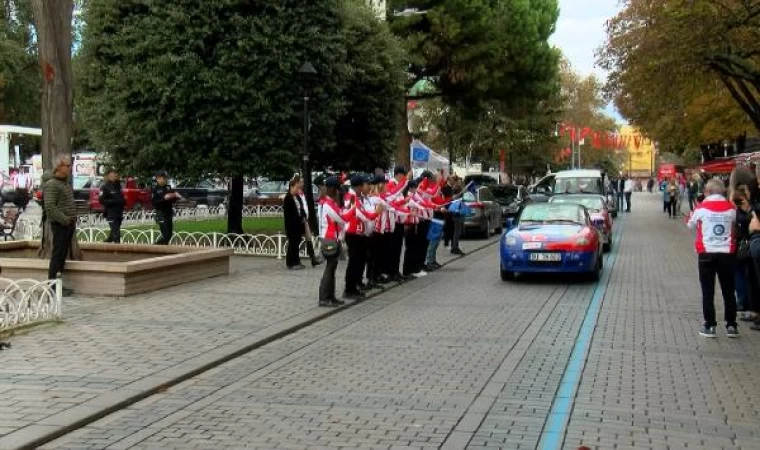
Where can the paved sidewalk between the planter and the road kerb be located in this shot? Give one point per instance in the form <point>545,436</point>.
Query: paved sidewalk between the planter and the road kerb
<point>114,351</point>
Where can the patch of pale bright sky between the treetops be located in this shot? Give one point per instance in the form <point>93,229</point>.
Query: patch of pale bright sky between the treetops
<point>580,31</point>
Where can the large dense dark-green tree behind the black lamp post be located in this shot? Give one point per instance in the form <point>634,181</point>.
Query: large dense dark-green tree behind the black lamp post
<point>211,87</point>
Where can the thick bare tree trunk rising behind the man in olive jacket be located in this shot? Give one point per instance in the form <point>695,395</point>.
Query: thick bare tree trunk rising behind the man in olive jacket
<point>54,34</point>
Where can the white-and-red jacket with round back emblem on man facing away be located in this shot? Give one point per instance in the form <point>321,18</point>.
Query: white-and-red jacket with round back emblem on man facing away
<point>714,220</point>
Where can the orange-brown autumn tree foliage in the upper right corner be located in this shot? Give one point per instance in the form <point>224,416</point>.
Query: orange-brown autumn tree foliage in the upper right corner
<point>686,71</point>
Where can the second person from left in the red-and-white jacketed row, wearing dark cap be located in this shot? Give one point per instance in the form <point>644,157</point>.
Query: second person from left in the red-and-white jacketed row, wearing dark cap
<point>356,239</point>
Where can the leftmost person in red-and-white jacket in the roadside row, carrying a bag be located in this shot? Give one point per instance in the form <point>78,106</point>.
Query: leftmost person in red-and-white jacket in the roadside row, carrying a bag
<point>332,227</point>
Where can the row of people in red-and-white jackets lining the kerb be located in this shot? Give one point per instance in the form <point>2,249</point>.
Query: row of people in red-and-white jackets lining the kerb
<point>378,219</point>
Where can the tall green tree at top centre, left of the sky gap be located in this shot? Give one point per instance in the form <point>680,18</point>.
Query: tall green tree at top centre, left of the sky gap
<point>476,52</point>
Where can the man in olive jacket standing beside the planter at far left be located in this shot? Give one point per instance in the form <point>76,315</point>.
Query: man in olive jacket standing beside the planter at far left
<point>60,211</point>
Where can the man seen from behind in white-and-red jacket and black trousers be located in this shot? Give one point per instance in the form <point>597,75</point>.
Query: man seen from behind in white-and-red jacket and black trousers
<point>715,222</point>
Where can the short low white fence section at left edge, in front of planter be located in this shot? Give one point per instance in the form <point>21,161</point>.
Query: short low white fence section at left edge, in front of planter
<point>25,302</point>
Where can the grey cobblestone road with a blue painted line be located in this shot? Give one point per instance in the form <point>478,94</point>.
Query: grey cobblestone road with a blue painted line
<point>461,360</point>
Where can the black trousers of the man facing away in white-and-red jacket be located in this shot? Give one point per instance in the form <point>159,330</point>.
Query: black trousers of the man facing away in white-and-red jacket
<point>721,265</point>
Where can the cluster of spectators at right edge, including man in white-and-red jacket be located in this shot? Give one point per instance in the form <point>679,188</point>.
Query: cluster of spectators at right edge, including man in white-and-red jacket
<point>728,246</point>
